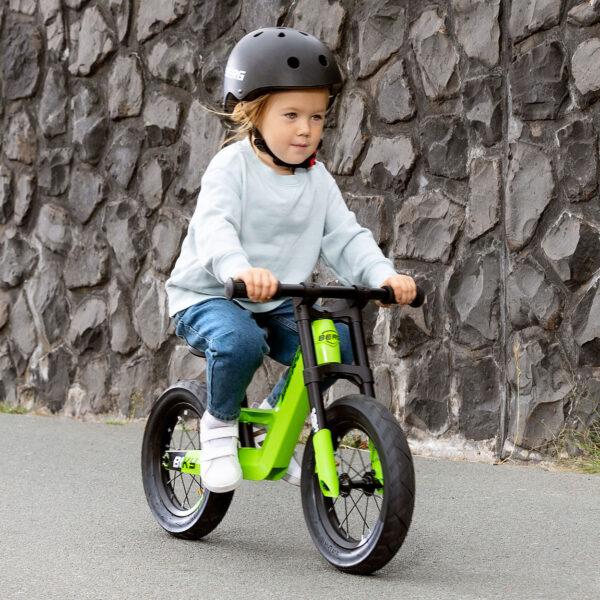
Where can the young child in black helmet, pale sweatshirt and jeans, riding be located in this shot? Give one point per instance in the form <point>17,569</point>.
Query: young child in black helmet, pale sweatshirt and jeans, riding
<point>266,211</point>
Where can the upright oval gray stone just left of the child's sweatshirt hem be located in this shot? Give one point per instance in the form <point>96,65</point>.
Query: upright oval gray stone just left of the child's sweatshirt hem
<point>150,314</point>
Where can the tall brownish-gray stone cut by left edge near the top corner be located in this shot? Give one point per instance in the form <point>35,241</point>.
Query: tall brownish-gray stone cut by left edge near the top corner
<point>21,57</point>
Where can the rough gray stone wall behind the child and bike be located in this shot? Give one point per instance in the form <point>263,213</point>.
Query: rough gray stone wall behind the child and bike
<point>466,138</point>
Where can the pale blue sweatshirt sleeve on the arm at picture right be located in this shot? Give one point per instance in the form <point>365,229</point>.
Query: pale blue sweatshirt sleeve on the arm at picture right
<point>350,249</point>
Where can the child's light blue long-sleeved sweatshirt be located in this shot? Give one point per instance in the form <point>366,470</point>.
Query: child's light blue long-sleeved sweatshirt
<point>248,215</point>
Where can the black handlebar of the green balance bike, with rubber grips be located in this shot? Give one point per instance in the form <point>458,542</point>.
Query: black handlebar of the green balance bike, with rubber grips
<point>237,289</point>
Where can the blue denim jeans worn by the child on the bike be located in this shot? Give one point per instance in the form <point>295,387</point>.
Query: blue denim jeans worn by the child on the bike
<point>235,343</point>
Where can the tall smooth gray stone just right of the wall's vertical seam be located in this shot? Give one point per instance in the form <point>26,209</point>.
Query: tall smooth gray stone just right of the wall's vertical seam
<point>529,189</point>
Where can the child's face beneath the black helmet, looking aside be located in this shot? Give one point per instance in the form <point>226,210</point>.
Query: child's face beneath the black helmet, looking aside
<point>292,123</point>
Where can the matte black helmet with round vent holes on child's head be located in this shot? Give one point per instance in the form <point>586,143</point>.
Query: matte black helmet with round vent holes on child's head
<point>278,58</point>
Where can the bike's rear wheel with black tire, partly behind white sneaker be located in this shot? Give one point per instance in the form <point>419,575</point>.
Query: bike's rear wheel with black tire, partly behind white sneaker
<point>169,509</point>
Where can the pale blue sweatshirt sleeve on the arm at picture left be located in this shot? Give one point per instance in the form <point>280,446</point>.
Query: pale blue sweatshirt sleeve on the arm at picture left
<point>216,223</point>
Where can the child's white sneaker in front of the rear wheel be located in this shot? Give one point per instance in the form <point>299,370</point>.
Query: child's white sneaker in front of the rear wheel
<point>220,469</point>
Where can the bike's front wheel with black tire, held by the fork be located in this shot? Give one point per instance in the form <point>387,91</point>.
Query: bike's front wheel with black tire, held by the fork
<point>338,546</point>
